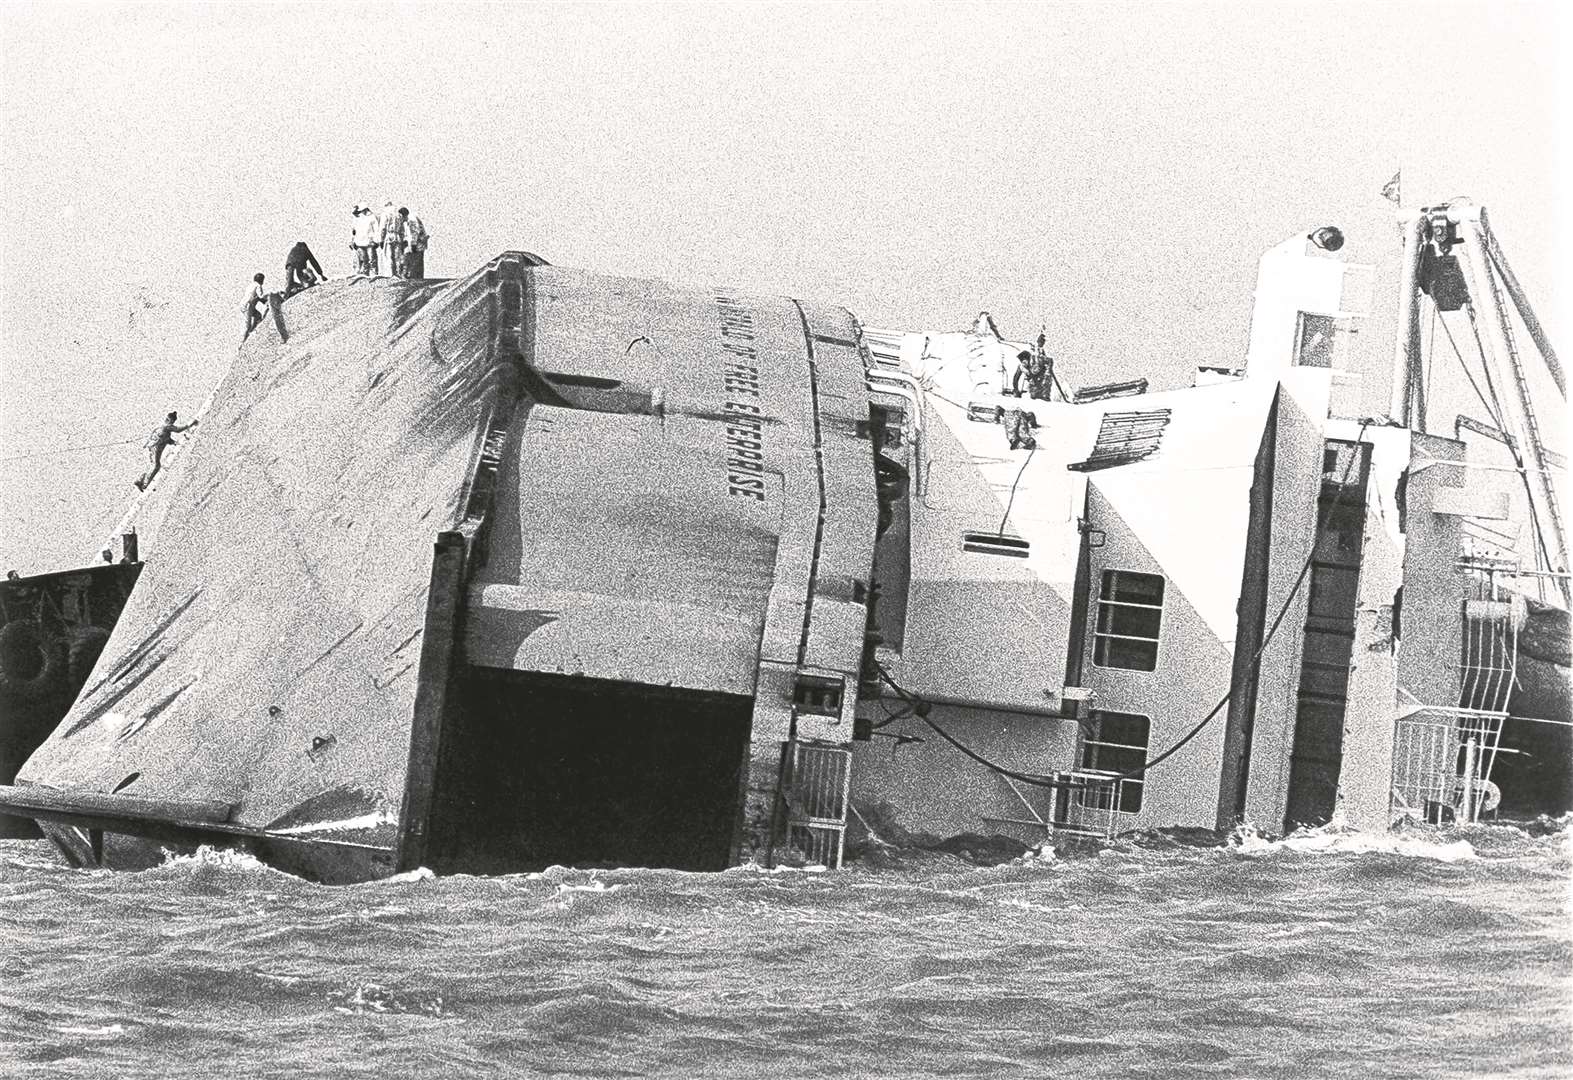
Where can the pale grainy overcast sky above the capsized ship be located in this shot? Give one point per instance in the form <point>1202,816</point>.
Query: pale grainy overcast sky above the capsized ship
<point>1110,171</point>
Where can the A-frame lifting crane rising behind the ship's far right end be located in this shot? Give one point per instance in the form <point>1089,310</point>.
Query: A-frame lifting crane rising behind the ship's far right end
<point>1479,279</point>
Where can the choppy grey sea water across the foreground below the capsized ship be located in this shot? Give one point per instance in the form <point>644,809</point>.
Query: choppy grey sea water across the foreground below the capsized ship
<point>1429,953</point>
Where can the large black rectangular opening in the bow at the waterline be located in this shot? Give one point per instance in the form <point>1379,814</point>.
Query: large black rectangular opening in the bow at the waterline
<point>543,770</point>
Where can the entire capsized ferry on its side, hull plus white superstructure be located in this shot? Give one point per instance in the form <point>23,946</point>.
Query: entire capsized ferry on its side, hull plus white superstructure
<point>540,567</point>
